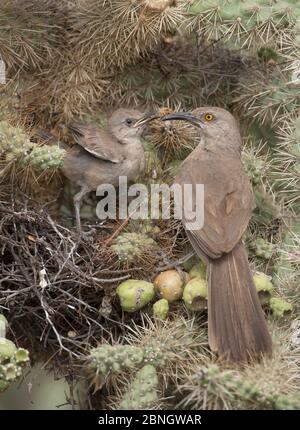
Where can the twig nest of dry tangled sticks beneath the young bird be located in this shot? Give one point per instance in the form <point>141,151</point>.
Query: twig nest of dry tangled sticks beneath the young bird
<point>59,289</point>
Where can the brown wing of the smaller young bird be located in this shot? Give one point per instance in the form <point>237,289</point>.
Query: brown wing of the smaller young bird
<point>98,142</point>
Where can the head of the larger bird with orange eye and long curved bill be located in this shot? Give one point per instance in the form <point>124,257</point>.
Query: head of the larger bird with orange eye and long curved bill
<point>212,121</point>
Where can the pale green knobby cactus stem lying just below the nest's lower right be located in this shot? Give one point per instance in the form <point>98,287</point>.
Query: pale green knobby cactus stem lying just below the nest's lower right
<point>107,359</point>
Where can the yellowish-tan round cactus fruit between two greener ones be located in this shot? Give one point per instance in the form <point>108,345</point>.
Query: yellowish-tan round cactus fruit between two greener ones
<point>169,285</point>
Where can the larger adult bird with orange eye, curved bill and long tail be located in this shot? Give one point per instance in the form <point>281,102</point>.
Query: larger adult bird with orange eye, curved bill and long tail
<point>236,324</point>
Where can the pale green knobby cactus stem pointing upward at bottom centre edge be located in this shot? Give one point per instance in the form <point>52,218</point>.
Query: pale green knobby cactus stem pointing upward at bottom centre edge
<point>142,392</point>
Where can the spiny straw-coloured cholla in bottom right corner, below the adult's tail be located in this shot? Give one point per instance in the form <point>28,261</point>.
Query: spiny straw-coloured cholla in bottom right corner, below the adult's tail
<point>269,384</point>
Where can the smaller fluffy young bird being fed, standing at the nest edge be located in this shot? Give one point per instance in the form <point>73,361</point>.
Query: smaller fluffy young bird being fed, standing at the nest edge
<point>102,155</point>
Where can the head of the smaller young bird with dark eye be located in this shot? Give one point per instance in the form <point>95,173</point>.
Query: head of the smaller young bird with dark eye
<point>124,124</point>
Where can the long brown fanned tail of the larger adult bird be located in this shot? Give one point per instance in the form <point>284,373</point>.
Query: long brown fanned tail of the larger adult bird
<point>236,322</point>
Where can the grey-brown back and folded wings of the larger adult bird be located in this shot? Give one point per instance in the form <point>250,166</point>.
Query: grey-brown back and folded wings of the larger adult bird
<point>228,202</point>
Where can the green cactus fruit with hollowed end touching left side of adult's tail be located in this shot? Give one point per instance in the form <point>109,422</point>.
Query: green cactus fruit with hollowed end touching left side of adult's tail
<point>195,294</point>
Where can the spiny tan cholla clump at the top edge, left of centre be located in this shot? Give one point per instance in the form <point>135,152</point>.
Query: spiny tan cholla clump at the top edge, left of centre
<point>113,34</point>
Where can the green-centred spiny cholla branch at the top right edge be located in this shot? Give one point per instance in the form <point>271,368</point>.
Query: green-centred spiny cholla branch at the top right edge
<point>246,22</point>
